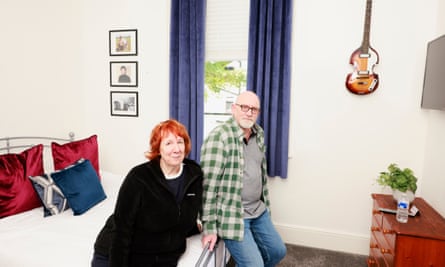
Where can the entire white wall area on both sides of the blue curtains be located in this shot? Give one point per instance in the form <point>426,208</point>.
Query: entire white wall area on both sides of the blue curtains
<point>339,141</point>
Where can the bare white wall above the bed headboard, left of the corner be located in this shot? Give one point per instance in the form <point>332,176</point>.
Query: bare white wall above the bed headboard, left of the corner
<point>41,91</point>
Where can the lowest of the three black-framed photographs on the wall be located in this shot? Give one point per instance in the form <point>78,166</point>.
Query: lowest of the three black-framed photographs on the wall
<point>124,103</point>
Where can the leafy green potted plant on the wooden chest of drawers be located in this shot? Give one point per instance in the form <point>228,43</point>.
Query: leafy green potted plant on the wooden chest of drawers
<point>399,180</point>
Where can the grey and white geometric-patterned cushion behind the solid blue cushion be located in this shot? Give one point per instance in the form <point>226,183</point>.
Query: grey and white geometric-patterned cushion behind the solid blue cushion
<point>54,202</point>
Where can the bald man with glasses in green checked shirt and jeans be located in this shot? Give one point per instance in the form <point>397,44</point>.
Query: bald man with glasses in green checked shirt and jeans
<point>235,198</point>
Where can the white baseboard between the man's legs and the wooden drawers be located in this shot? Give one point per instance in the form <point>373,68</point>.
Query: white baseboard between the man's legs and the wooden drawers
<point>319,238</point>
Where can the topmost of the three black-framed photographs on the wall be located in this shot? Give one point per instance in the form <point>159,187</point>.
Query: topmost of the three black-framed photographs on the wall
<point>123,42</point>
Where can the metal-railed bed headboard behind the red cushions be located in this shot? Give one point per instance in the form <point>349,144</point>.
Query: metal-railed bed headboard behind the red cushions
<point>15,143</point>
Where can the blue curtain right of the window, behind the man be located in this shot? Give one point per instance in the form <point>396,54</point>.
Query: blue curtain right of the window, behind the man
<point>268,75</point>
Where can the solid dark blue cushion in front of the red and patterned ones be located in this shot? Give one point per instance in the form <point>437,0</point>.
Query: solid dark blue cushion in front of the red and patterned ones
<point>80,185</point>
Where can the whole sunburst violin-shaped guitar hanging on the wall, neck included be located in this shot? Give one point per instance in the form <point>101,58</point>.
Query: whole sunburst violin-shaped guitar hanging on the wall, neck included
<point>363,80</point>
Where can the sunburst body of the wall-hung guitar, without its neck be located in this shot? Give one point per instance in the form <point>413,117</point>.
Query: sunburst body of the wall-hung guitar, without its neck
<point>363,80</point>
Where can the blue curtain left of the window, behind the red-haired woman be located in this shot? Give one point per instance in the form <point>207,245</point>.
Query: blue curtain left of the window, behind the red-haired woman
<point>187,36</point>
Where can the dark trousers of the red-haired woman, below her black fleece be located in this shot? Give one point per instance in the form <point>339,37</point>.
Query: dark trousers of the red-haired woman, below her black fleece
<point>149,261</point>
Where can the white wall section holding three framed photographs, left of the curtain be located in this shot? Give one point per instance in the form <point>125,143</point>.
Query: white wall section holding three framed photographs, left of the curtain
<point>124,140</point>
